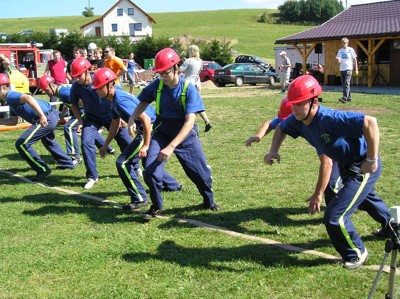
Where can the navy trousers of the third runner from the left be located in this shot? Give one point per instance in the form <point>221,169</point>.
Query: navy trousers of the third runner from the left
<point>89,135</point>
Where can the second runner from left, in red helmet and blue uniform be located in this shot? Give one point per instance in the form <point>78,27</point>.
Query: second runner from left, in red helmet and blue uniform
<point>62,92</point>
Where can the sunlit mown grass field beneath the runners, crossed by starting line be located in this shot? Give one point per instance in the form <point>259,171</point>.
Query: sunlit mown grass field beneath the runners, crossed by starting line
<point>56,245</point>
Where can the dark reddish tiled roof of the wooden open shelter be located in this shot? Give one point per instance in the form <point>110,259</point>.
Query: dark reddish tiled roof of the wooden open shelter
<point>358,21</point>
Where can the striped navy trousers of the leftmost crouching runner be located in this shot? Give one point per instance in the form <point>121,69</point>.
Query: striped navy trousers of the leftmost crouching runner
<point>46,135</point>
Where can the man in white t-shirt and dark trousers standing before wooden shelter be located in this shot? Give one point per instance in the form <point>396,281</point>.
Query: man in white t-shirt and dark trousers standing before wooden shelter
<point>347,58</point>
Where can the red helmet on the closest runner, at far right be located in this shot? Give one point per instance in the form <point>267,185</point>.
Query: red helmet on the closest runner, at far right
<point>303,88</point>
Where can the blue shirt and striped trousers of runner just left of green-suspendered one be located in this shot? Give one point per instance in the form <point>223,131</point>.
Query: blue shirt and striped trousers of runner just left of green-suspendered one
<point>123,106</point>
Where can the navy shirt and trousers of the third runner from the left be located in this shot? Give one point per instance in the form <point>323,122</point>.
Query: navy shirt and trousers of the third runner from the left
<point>97,114</point>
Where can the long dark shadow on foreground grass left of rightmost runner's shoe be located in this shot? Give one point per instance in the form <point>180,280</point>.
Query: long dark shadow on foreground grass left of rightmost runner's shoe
<point>218,258</point>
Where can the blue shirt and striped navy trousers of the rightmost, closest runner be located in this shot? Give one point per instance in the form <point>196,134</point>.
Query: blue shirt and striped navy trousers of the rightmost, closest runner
<point>338,135</point>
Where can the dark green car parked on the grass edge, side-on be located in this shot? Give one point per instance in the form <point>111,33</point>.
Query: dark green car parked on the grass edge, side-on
<point>244,73</point>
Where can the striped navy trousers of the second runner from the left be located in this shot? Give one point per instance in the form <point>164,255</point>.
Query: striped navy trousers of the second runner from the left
<point>72,139</point>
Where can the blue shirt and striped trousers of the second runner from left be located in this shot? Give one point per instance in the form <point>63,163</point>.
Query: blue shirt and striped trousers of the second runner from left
<point>70,134</point>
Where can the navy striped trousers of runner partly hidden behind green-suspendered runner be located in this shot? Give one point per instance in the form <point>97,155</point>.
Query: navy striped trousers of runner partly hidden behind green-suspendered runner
<point>126,164</point>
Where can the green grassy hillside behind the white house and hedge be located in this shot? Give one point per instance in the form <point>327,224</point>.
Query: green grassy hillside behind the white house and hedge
<point>249,36</point>
